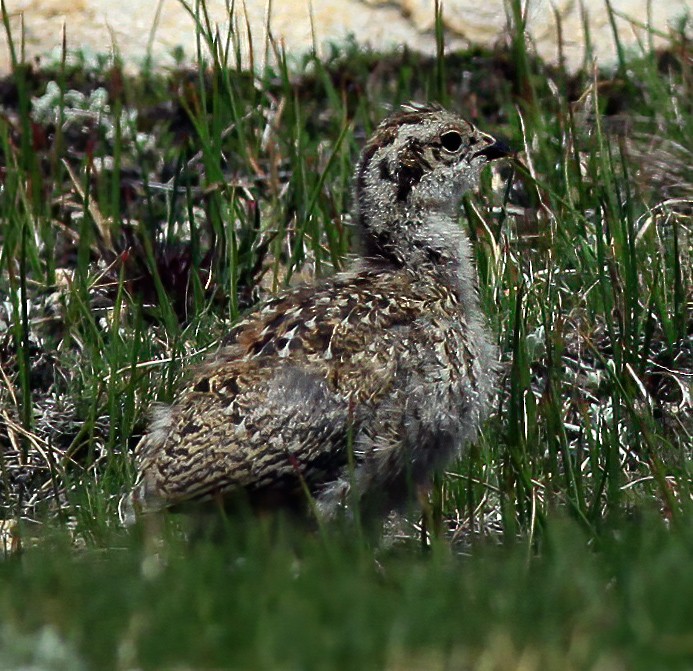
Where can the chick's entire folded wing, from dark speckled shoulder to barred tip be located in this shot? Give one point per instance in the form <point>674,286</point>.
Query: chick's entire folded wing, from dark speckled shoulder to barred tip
<point>278,404</point>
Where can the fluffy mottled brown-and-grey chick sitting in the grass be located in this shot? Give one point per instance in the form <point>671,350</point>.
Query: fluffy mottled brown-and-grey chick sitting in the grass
<point>346,395</point>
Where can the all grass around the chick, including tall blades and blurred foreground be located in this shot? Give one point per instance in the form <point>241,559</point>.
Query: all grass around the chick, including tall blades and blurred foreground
<point>142,215</point>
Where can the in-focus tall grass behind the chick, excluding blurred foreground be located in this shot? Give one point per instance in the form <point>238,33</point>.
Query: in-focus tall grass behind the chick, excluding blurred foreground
<point>585,269</point>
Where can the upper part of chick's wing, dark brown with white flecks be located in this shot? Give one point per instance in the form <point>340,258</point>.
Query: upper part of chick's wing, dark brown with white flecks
<point>351,330</point>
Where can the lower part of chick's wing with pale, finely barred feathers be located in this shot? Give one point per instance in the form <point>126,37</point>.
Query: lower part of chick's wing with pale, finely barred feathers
<point>268,436</point>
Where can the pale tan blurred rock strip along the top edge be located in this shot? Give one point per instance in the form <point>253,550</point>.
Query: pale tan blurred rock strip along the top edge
<point>164,29</point>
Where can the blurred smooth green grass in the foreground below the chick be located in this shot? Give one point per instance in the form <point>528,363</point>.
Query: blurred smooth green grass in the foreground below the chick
<point>571,608</point>
